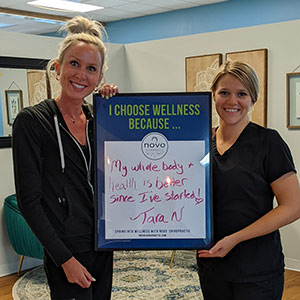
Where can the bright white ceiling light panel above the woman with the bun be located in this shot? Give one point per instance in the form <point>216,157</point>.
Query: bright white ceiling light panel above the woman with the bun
<point>64,5</point>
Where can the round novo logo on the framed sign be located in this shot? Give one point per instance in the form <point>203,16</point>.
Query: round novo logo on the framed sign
<point>155,145</point>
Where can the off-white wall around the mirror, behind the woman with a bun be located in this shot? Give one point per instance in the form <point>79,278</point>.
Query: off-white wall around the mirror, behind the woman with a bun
<point>21,45</point>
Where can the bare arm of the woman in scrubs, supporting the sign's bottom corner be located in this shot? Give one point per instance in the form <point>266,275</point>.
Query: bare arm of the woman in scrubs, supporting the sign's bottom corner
<point>287,192</point>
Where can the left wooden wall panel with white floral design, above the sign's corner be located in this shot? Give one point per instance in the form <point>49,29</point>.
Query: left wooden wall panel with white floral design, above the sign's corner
<point>199,74</point>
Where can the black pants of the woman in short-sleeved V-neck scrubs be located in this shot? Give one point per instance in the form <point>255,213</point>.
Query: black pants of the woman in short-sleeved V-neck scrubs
<point>214,289</point>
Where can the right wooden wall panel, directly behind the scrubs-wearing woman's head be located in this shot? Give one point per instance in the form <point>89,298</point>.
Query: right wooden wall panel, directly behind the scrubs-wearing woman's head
<point>258,60</point>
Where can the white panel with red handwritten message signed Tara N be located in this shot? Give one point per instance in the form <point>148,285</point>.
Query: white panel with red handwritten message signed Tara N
<point>147,198</point>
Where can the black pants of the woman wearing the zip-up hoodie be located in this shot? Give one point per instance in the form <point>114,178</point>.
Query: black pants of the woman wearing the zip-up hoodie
<point>100,266</point>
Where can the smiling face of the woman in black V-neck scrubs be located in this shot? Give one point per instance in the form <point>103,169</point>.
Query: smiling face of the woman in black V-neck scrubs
<point>232,100</point>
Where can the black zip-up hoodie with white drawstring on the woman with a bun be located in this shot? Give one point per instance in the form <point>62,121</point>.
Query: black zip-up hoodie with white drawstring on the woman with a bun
<point>53,180</point>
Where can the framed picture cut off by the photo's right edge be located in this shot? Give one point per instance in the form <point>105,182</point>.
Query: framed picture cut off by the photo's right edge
<point>293,100</point>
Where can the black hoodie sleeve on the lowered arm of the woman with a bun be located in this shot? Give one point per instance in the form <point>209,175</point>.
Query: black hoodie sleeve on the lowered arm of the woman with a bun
<point>28,170</point>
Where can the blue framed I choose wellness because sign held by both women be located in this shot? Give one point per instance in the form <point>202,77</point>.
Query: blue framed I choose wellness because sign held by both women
<point>153,172</point>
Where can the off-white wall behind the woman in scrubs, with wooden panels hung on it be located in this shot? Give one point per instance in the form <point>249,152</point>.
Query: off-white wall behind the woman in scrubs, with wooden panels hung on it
<point>159,66</point>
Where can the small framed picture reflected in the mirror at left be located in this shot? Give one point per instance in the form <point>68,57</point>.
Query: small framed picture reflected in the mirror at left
<point>14,103</point>
